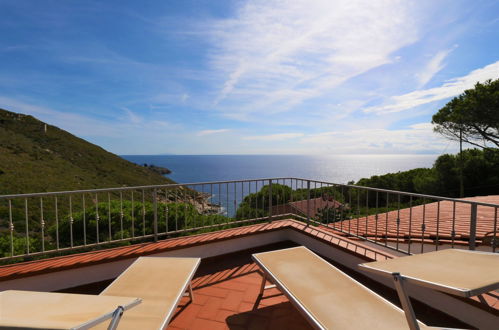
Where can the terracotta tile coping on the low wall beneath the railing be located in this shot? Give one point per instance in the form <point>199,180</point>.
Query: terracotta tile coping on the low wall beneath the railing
<point>95,257</point>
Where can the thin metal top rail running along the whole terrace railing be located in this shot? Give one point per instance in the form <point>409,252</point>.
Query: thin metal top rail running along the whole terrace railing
<point>173,185</point>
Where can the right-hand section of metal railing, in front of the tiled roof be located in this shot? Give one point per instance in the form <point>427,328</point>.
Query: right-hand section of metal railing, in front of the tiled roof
<point>407,222</point>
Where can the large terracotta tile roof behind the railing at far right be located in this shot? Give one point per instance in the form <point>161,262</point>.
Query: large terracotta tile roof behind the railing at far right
<point>411,223</point>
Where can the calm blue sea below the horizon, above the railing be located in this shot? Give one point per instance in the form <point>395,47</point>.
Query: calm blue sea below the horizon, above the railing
<point>335,169</point>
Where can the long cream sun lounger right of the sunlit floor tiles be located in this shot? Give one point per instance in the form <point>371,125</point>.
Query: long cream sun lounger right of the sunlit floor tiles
<point>326,297</point>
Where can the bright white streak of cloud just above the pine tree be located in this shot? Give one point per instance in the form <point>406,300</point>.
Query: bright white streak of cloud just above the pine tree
<point>449,89</point>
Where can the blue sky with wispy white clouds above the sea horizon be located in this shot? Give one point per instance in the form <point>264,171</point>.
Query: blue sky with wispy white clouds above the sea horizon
<point>246,77</point>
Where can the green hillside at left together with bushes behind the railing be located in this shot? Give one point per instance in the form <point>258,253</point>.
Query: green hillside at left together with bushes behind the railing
<point>36,157</point>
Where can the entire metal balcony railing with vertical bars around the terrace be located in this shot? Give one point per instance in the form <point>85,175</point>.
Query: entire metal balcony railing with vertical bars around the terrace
<point>59,222</point>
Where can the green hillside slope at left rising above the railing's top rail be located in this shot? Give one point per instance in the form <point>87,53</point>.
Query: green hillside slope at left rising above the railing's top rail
<point>35,160</point>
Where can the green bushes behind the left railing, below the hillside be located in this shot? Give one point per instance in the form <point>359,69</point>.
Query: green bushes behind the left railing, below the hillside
<point>116,221</point>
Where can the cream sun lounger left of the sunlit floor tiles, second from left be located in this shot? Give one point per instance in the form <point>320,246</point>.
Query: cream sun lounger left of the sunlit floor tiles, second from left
<point>160,282</point>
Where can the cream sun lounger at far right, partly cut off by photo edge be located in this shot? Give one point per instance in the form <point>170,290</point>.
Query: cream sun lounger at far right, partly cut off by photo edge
<point>458,272</point>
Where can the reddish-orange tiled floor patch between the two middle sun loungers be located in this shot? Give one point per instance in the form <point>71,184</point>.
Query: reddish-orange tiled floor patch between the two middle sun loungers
<point>226,297</point>
